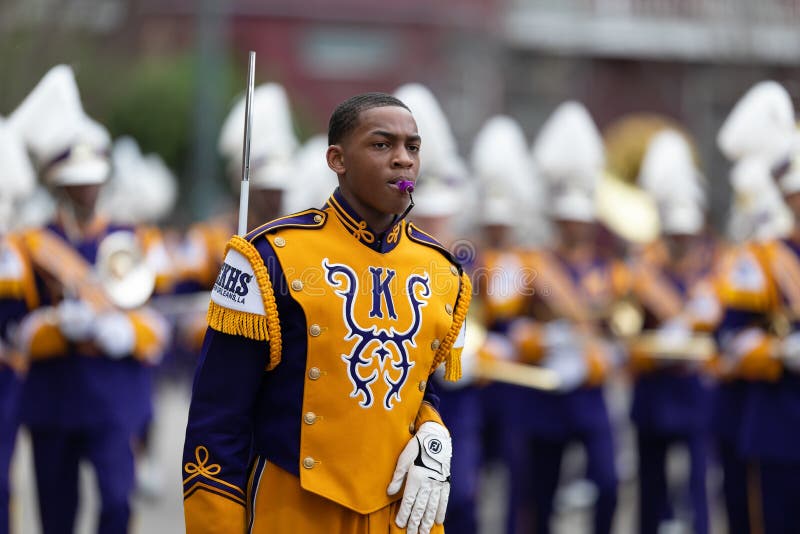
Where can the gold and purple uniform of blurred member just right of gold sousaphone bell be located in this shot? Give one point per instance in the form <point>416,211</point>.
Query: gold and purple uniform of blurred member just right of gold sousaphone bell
<point>672,400</point>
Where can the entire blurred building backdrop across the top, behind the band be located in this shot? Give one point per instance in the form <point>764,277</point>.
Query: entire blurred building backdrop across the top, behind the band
<point>687,60</point>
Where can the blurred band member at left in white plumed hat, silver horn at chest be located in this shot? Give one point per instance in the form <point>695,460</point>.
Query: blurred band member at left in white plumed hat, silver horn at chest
<point>83,397</point>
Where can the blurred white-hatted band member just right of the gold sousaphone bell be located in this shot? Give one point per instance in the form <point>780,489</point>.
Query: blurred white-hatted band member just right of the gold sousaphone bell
<point>672,284</point>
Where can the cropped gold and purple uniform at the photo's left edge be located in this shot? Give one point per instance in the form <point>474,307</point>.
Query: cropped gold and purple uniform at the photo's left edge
<point>17,296</point>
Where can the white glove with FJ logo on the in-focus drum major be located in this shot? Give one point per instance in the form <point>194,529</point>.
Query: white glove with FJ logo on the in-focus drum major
<point>425,466</point>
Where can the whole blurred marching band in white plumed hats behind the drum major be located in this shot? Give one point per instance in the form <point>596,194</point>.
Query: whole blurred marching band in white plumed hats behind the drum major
<point>584,284</point>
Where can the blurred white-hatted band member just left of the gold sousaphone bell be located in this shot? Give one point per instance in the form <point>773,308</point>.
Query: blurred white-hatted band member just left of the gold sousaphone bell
<point>573,291</point>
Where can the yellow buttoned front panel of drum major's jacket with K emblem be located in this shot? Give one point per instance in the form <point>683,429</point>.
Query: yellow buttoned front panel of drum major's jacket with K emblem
<point>374,323</point>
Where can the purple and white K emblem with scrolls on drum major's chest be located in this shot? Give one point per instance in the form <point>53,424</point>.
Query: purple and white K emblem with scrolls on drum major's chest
<point>388,347</point>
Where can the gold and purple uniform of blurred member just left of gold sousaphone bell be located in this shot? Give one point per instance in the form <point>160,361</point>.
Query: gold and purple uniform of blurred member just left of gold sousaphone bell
<point>579,294</point>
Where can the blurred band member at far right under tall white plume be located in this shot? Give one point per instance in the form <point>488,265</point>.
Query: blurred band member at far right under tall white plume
<point>755,403</point>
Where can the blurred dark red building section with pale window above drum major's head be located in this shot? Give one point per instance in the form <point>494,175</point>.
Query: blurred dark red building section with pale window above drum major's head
<point>326,51</point>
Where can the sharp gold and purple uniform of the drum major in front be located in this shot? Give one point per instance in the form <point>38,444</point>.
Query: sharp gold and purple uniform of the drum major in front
<point>314,372</point>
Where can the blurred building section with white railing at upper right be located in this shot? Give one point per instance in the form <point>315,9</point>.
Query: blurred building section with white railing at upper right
<point>689,60</point>
